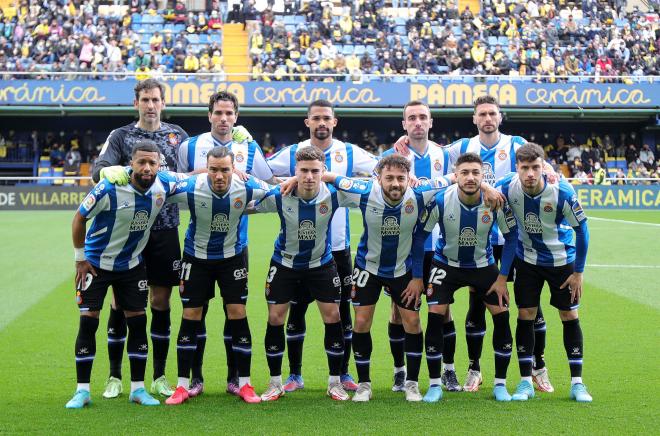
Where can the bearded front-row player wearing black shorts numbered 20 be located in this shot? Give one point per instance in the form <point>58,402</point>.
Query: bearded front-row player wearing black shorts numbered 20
<point>390,212</point>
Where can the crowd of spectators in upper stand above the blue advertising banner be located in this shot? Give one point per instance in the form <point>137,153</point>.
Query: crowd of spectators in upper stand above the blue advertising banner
<point>314,40</point>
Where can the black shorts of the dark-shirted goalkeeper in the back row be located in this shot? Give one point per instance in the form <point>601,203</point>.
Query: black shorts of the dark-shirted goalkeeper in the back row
<point>162,257</point>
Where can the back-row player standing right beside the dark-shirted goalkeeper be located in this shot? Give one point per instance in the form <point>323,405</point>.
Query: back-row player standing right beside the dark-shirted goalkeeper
<point>248,158</point>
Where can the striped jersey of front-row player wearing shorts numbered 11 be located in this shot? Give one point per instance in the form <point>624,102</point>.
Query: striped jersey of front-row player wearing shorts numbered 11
<point>213,232</point>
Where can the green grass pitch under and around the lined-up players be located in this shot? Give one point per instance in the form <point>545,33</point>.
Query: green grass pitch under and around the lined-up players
<point>620,316</point>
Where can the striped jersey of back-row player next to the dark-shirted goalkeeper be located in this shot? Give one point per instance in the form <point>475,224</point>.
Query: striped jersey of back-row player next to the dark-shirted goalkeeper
<point>248,158</point>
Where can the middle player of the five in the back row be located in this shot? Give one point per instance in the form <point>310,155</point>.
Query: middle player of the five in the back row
<point>347,160</point>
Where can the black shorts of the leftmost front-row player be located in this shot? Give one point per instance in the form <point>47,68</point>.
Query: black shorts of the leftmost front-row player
<point>130,288</point>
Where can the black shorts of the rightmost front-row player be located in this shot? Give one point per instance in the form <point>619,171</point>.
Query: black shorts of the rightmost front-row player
<point>529,284</point>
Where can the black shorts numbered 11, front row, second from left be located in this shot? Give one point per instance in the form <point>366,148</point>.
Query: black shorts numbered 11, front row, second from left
<point>199,276</point>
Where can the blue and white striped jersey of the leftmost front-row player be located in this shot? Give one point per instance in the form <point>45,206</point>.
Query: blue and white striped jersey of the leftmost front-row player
<point>122,218</point>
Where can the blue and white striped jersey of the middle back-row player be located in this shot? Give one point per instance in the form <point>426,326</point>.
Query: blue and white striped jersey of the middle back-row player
<point>340,158</point>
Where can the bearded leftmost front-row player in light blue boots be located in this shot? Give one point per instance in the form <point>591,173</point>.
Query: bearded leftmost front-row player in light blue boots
<point>110,255</point>
